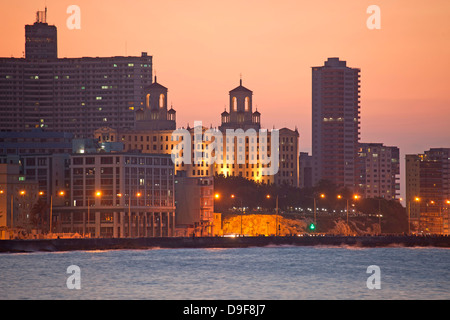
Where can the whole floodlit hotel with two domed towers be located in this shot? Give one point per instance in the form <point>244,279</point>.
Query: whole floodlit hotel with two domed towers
<point>154,134</point>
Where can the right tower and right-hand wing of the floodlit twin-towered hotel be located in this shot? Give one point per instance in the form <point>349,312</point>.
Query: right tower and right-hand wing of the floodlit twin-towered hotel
<point>241,116</point>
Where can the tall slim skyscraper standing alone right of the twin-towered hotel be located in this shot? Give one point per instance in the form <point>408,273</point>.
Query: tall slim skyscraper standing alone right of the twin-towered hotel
<point>335,123</point>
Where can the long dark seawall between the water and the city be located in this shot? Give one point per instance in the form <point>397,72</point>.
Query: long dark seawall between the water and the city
<point>219,242</point>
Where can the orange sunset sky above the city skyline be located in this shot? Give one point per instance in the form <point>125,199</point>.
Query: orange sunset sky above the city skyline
<point>200,48</point>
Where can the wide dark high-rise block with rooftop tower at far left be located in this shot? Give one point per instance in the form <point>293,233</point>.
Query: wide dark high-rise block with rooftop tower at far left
<point>75,95</point>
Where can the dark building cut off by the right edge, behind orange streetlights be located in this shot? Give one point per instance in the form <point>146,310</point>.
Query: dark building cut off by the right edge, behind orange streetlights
<point>428,191</point>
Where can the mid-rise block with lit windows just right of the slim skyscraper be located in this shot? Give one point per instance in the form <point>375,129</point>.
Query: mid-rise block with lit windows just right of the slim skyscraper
<point>379,171</point>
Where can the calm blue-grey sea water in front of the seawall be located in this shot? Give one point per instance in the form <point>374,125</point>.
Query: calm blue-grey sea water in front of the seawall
<point>245,273</point>
